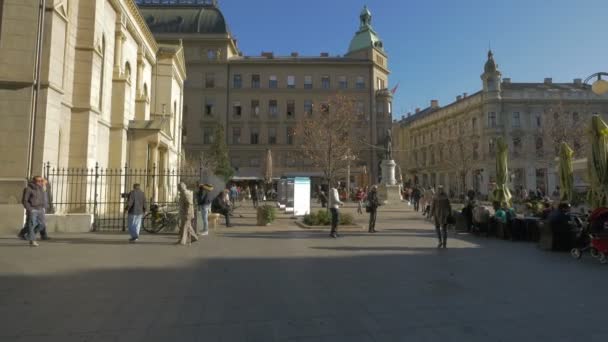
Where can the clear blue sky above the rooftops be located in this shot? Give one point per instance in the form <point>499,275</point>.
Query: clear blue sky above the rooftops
<point>437,48</point>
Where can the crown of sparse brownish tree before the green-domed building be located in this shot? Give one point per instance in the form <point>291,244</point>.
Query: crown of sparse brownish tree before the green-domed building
<point>327,136</point>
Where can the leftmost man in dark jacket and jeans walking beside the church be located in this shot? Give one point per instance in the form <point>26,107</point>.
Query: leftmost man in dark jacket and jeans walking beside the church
<point>34,201</point>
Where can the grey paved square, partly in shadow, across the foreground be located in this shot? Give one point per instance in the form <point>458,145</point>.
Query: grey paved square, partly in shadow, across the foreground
<point>282,283</point>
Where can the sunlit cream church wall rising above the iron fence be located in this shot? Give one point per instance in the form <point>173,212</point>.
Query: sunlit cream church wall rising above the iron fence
<point>108,93</point>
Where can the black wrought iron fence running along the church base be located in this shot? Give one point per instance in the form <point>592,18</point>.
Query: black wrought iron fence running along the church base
<point>102,192</point>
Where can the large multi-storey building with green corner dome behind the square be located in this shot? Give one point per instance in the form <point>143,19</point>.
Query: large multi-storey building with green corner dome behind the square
<point>260,100</point>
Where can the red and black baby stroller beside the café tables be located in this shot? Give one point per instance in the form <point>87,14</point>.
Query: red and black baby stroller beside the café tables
<point>595,238</point>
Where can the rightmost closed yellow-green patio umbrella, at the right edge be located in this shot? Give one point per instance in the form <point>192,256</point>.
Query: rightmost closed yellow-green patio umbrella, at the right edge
<point>598,164</point>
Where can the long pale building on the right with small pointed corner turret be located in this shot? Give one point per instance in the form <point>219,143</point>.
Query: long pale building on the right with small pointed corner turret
<point>454,145</point>
